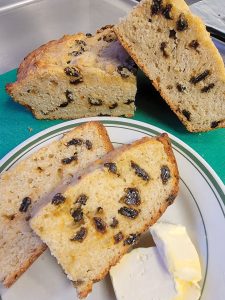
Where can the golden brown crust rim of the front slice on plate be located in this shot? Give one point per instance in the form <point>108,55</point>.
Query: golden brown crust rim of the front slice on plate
<point>164,139</point>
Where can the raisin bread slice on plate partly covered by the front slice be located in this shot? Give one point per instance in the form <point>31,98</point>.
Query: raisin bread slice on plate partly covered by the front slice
<point>30,180</point>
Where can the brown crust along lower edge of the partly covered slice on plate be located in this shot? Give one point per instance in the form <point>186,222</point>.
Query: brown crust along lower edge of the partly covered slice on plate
<point>9,280</point>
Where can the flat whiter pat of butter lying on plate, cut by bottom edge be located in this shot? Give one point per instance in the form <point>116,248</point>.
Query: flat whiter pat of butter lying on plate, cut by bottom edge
<point>141,275</point>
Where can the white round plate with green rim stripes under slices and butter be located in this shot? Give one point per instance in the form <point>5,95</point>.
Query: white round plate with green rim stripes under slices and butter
<point>199,207</point>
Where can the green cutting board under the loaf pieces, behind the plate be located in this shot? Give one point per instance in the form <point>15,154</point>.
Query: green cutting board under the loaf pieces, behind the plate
<point>17,123</point>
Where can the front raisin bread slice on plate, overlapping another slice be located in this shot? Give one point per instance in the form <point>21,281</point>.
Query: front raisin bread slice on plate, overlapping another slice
<point>91,223</point>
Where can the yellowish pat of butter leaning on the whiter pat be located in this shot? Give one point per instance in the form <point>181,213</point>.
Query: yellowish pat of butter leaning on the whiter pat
<point>177,251</point>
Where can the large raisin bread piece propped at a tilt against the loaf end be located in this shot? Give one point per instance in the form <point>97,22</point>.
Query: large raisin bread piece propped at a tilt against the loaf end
<point>173,48</point>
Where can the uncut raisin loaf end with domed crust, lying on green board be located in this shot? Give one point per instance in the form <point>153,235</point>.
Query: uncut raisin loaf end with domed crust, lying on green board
<point>77,76</point>
